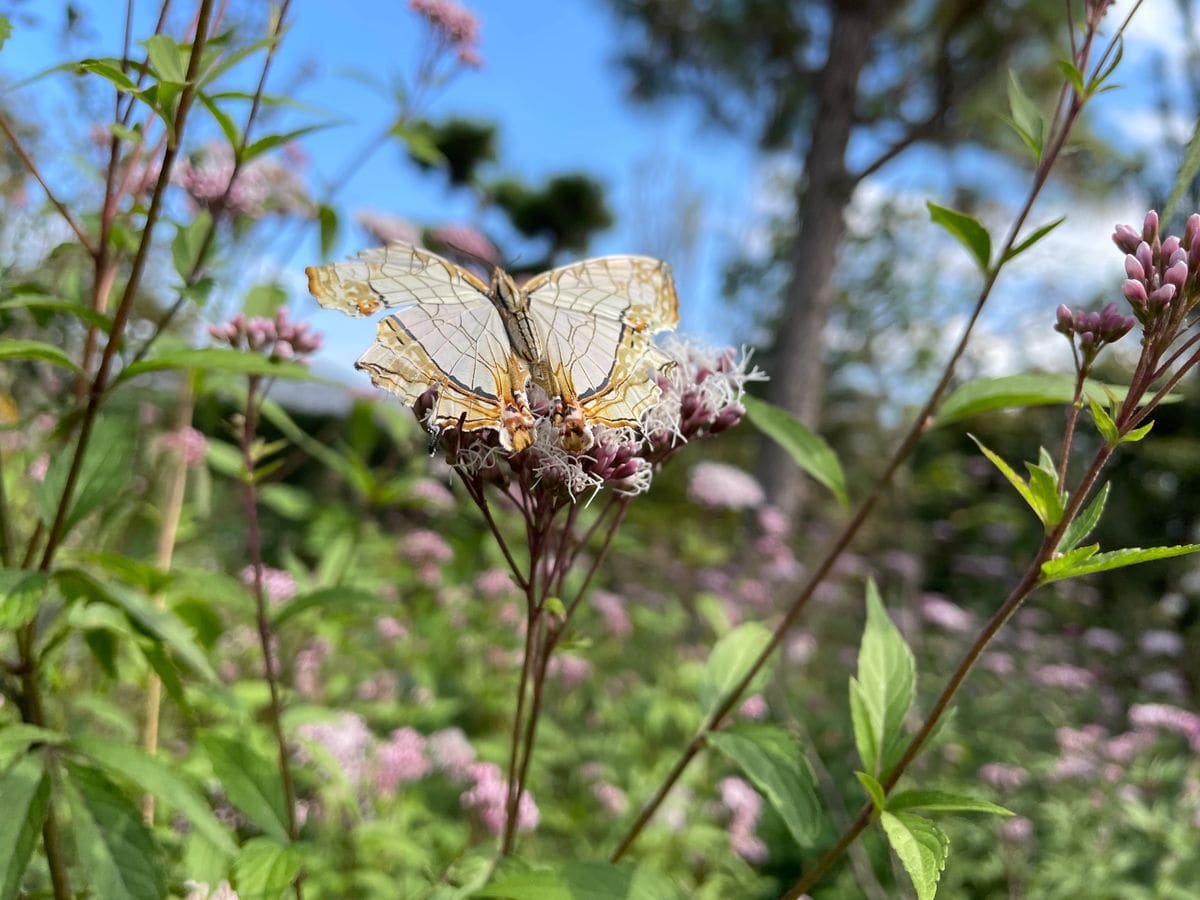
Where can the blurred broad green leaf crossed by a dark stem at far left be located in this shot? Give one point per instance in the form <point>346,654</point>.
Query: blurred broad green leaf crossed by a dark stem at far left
<point>104,475</point>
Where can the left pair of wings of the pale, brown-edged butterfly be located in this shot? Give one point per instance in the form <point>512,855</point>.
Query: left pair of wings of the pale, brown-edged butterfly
<point>448,335</point>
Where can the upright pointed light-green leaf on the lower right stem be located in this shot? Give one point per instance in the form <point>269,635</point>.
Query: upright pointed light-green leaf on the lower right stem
<point>887,676</point>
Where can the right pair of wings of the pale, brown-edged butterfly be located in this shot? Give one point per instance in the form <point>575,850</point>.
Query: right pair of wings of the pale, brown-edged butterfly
<point>596,320</point>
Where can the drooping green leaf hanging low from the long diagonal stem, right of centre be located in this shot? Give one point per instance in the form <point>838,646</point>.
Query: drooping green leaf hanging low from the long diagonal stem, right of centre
<point>772,761</point>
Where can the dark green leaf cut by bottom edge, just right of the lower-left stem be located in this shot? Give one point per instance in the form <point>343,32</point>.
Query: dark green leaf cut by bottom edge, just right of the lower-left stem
<point>116,848</point>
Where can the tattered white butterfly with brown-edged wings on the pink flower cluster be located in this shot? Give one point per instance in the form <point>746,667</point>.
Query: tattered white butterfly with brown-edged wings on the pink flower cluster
<point>583,333</point>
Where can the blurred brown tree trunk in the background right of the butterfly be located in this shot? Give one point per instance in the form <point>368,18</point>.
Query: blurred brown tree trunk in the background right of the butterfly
<point>797,376</point>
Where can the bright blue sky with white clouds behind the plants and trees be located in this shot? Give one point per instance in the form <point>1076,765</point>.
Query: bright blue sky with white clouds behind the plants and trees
<point>551,83</point>
